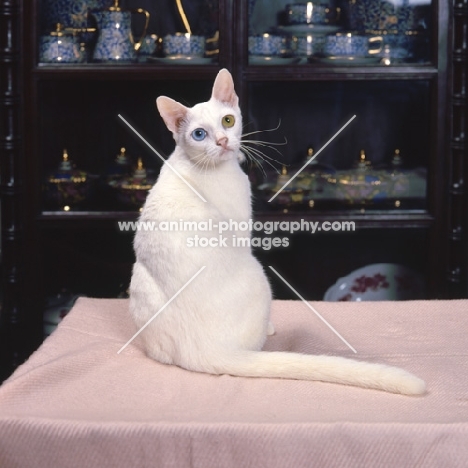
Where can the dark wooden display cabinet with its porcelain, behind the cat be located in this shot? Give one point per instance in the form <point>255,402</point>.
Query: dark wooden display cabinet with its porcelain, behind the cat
<point>397,171</point>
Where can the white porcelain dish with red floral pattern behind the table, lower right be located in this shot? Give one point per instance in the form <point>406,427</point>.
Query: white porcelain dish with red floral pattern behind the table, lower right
<point>378,282</point>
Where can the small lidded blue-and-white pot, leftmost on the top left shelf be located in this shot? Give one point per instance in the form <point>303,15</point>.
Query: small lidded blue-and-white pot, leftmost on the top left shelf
<point>59,47</point>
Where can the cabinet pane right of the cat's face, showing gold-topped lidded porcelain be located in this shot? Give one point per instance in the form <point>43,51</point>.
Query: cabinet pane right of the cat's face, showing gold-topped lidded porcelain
<point>379,161</point>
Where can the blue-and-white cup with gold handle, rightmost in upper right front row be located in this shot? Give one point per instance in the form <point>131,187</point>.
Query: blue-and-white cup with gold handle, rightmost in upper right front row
<point>351,44</point>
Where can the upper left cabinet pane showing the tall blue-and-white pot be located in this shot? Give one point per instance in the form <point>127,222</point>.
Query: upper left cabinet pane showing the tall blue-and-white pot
<point>114,32</point>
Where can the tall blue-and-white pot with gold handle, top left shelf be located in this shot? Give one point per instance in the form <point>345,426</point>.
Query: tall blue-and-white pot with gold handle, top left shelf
<point>115,41</point>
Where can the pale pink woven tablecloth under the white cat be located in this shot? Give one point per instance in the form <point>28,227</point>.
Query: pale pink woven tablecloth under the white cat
<point>77,403</point>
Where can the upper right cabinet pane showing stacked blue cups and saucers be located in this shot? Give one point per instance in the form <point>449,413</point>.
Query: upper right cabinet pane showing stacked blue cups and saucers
<point>339,32</point>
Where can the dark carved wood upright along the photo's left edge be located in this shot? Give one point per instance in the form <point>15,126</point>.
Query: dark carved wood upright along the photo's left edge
<point>10,185</point>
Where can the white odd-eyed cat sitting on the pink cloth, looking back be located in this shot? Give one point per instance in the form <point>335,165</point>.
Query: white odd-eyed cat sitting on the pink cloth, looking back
<point>219,323</point>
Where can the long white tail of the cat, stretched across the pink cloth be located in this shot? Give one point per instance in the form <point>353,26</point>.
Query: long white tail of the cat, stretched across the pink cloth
<point>323,368</point>
